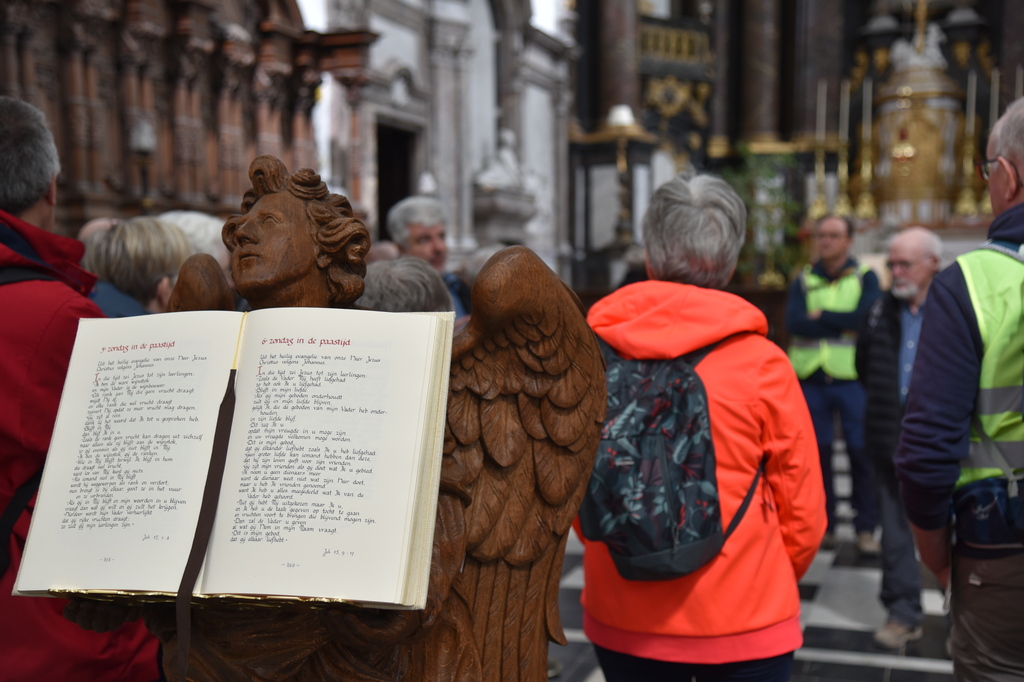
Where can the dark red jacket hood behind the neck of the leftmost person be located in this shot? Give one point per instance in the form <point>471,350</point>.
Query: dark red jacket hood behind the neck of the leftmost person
<point>23,245</point>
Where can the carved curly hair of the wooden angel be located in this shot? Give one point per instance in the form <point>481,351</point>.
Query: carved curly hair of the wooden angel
<point>342,239</point>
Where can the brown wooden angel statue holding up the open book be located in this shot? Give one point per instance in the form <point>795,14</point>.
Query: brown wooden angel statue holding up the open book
<point>527,400</point>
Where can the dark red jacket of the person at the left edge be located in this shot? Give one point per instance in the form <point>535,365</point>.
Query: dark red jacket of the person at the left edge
<point>40,320</point>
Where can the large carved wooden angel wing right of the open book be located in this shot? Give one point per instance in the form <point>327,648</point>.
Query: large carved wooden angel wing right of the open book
<point>527,402</point>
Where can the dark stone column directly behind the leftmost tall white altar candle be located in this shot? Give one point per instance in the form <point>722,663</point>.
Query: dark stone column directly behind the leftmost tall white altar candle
<point>820,57</point>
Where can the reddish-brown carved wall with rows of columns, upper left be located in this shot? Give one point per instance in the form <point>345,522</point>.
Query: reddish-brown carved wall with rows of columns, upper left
<point>216,82</point>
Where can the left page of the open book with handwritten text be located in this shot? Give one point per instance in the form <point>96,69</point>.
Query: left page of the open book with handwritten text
<point>127,465</point>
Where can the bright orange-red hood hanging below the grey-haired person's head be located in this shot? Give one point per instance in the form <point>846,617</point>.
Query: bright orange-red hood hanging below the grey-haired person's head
<point>665,320</point>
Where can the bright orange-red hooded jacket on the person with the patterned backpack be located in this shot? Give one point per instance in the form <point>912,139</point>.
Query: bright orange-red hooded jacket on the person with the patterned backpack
<point>744,605</point>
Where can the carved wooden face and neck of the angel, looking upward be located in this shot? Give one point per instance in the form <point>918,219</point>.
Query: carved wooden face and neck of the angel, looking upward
<point>275,263</point>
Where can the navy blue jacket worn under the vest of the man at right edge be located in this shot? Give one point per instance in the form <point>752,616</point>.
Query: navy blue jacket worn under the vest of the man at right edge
<point>944,389</point>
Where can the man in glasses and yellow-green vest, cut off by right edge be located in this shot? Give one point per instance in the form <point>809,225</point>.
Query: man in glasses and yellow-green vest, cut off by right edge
<point>963,436</point>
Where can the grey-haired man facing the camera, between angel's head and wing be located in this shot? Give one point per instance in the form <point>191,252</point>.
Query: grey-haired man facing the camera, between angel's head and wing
<point>418,225</point>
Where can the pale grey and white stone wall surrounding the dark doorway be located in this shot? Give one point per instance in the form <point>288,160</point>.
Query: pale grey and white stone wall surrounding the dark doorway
<point>426,79</point>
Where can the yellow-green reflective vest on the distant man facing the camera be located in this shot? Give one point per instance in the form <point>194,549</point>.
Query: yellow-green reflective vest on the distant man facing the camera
<point>836,356</point>
